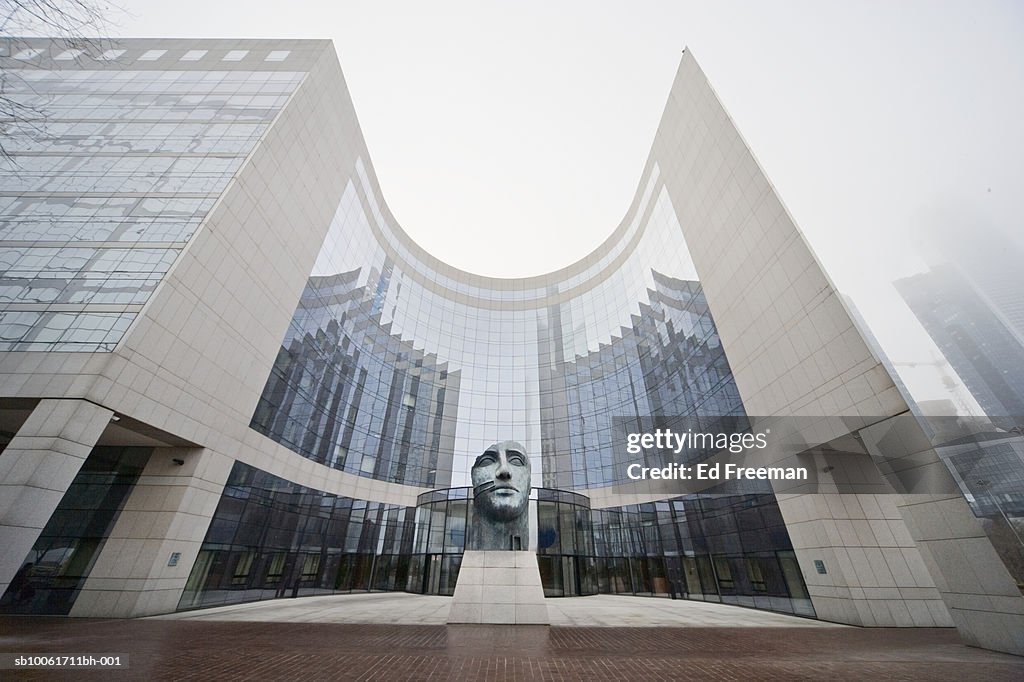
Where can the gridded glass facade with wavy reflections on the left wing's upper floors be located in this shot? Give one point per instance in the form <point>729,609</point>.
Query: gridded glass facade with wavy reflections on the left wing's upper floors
<point>98,201</point>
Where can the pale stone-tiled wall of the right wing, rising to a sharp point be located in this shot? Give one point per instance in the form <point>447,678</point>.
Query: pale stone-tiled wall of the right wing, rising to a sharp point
<point>795,351</point>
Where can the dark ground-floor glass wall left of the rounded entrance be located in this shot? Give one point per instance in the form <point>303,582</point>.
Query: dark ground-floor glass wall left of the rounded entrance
<point>271,538</point>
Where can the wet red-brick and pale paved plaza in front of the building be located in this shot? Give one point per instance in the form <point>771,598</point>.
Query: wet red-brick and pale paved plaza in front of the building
<point>314,640</point>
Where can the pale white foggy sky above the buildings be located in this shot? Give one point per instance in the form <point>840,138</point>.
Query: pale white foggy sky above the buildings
<point>509,138</point>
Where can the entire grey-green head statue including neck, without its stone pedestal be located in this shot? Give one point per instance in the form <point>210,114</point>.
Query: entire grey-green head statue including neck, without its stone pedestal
<point>501,490</point>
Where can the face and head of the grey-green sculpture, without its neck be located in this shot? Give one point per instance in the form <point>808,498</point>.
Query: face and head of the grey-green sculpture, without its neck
<point>501,482</point>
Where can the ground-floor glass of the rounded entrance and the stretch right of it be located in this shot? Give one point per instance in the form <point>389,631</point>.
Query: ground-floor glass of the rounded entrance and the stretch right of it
<point>731,549</point>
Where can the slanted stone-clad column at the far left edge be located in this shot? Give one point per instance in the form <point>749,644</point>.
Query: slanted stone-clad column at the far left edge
<point>36,471</point>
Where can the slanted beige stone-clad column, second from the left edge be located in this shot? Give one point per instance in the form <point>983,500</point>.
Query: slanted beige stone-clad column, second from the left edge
<point>167,514</point>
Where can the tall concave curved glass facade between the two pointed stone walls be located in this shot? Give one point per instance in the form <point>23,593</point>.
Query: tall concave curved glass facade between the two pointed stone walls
<point>395,357</point>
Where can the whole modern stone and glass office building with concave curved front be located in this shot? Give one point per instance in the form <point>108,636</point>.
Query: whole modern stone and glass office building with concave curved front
<point>229,375</point>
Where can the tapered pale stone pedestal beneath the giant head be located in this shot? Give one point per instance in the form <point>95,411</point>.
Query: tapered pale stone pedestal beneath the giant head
<point>500,588</point>
